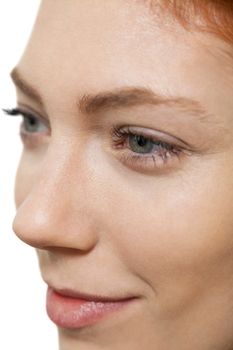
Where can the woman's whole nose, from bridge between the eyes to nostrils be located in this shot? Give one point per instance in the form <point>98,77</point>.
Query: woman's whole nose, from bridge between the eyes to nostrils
<point>58,210</point>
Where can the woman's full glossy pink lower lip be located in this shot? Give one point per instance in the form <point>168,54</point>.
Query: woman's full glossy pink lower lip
<point>73,313</point>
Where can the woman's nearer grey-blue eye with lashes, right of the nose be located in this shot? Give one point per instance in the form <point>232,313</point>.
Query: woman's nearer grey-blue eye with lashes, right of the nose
<point>146,150</point>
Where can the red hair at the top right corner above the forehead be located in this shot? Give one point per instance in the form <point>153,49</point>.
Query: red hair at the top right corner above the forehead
<point>212,16</point>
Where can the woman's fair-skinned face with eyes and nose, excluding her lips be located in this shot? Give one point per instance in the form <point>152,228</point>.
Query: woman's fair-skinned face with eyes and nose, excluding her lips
<point>125,181</point>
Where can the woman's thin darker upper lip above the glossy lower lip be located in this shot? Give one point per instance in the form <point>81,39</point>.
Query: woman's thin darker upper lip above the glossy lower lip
<point>90,297</point>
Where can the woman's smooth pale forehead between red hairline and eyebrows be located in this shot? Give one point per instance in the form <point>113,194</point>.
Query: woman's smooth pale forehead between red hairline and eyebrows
<point>82,46</point>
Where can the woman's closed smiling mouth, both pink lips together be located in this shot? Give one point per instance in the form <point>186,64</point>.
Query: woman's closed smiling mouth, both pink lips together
<point>72,310</point>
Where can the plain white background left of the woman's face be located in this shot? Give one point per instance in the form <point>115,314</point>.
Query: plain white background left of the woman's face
<point>23,320</point>
